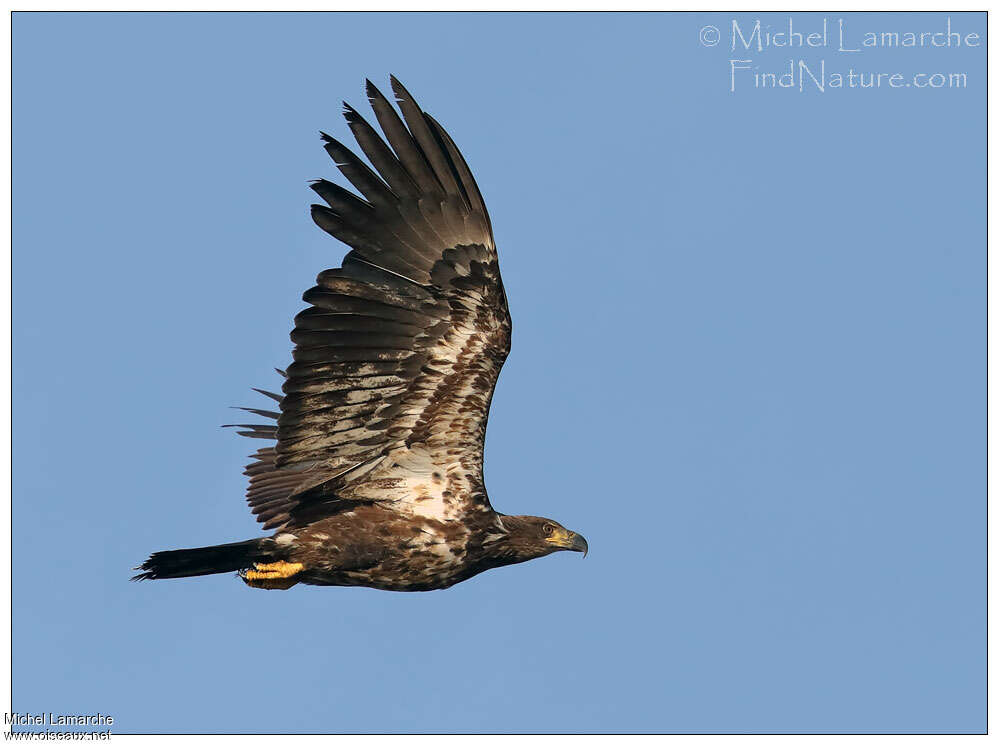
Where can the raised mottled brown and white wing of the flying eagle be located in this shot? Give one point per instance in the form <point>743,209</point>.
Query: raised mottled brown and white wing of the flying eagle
<point>397,356</point>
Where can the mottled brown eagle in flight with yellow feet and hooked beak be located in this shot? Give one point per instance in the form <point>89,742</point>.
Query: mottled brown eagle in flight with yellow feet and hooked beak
<point>375,477</point>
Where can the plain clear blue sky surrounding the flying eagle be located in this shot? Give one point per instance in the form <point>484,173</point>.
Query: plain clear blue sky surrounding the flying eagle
<point>748,364</point>
